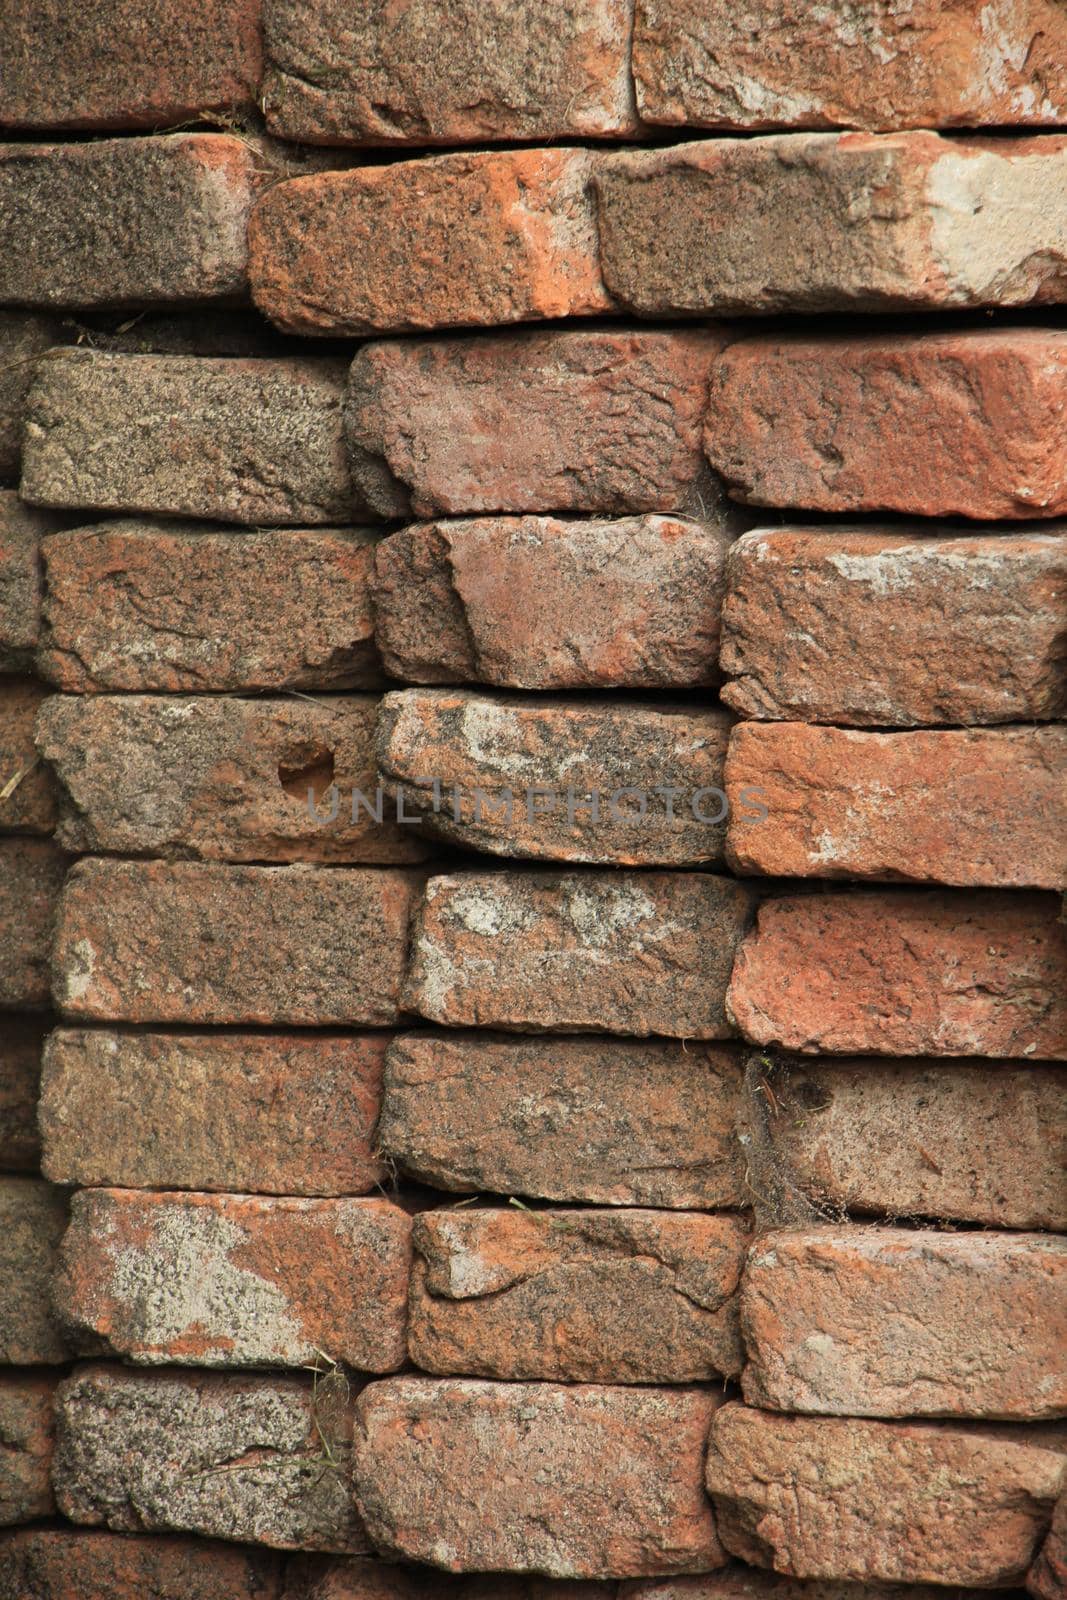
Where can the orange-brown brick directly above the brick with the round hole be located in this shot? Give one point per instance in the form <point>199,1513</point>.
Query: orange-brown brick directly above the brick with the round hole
<point>153,607</point>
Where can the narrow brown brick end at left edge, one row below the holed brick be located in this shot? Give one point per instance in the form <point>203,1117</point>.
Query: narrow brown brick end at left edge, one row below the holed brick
<point>31,878</point>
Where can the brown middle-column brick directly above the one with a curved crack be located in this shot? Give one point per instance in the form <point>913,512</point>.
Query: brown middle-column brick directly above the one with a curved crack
<point>610,1122</point>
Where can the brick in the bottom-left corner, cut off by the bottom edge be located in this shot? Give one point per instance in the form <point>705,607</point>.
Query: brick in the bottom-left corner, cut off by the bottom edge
<point>57,1564</point>
